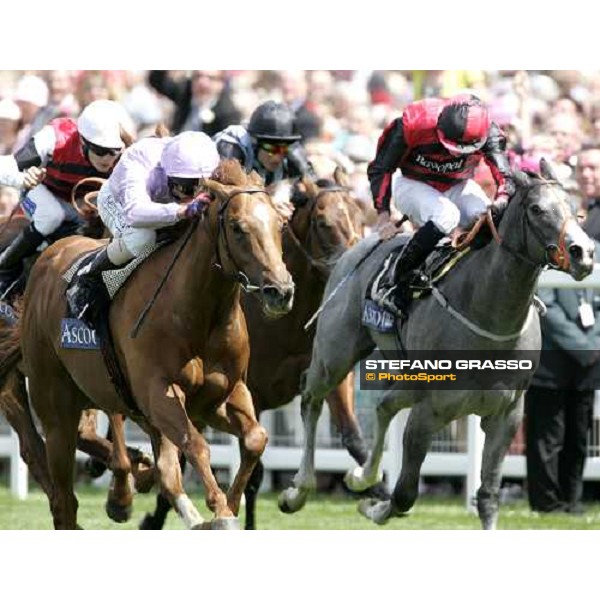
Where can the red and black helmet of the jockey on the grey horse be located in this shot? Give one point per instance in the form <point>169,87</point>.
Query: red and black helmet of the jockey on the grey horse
<point>463,125</point>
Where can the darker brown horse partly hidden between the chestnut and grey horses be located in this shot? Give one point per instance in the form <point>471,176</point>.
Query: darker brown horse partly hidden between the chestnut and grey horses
<point>326,222</point>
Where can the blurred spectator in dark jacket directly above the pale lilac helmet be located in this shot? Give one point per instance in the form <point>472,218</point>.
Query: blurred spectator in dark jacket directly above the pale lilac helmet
<point>202,101</point>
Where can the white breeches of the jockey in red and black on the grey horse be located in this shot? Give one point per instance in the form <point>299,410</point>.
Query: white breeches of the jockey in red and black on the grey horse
<point>461,205</point>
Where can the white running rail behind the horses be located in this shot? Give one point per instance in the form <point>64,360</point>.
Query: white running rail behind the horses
<point>458,455</point>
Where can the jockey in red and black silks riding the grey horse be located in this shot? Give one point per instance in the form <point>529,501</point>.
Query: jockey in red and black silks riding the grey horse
<point>437,145</point>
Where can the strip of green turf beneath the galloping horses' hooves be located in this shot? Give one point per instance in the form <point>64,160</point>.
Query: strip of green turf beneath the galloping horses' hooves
<point>322,513</point>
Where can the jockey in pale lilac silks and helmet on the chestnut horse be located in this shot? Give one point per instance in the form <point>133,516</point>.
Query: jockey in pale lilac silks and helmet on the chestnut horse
<point>156,183</point>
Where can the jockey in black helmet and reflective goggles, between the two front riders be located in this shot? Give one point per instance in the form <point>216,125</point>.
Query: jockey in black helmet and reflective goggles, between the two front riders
<point>269,145</point>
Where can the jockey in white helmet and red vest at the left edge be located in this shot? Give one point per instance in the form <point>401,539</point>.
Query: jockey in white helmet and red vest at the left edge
<point>47,168</point>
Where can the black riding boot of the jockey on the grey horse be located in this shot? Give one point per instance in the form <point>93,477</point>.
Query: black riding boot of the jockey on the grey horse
<point>390,289</point>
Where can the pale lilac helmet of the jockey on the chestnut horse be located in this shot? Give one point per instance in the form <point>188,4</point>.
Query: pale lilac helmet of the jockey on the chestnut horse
<point>190,155</point>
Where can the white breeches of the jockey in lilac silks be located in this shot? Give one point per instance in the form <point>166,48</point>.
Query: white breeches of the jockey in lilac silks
<point>128,242</point>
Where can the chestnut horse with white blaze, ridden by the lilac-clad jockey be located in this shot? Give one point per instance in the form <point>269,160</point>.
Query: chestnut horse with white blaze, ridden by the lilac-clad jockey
<point>186,368</point>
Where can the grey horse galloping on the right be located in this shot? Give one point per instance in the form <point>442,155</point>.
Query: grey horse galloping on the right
<point>485,303</point>
